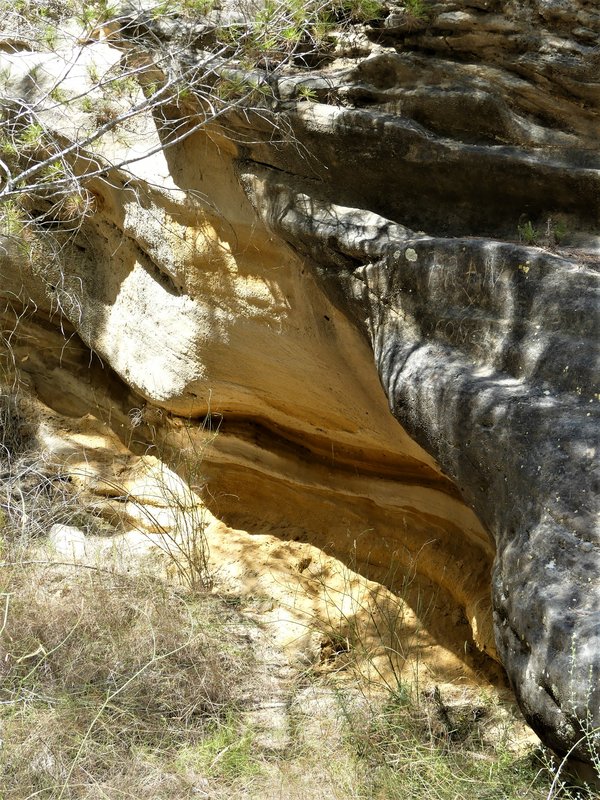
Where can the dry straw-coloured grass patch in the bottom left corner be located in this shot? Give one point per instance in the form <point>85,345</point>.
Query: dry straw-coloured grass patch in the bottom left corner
<point>102,679</point>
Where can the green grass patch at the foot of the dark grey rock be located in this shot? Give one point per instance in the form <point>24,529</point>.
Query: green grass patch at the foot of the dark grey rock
<point>410,750</point>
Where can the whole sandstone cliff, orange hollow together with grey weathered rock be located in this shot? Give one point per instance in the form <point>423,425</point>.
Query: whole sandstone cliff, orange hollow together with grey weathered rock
<point>420,235</point>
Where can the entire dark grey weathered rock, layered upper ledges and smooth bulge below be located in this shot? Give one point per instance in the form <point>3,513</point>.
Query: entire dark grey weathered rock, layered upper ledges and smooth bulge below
<point>486,345</point>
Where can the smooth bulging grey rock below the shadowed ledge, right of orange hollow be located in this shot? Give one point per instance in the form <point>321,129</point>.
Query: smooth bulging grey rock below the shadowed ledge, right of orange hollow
<point>496,388</point>
